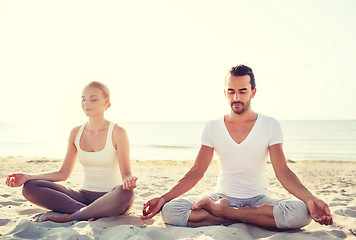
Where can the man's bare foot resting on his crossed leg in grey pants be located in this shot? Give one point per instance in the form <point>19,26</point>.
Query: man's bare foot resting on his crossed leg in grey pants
<point>217,209</point>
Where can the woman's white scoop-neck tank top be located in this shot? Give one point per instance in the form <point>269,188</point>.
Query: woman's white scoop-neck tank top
<point>101,169</point>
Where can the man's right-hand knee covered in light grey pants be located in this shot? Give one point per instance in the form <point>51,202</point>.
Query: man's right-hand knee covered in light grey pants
<point>291,214</point>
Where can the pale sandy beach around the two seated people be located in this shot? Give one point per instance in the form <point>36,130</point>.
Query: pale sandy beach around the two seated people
<point>334,182</point>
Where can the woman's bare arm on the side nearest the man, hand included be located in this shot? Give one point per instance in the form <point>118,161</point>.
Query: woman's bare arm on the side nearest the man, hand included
<point>122,145</point>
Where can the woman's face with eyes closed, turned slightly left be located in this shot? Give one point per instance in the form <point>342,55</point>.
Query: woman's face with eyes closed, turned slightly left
<point>93,101</point>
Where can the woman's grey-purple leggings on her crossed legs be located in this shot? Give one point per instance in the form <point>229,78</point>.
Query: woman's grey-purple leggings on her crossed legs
<point>82,204</point>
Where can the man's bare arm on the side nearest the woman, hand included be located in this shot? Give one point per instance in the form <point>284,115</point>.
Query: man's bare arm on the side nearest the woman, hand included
<point>190,179</point>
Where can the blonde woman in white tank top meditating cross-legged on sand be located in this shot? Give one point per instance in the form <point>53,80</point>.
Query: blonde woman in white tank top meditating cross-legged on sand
<point>102,148</point>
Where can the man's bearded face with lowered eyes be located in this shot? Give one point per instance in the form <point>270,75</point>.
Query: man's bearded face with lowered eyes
<point>239,93</point>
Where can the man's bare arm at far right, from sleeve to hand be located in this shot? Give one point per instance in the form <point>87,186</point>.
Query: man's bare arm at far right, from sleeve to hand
<point>318,209</point>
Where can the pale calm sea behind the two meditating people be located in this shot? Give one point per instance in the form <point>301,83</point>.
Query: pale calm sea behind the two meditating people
<point>179,141</point>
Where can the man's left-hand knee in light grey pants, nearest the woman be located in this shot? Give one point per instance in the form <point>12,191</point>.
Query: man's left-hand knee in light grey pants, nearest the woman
<point>177,212</point>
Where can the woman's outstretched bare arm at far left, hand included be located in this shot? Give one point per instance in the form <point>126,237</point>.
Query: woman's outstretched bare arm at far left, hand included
<point>17,180</point>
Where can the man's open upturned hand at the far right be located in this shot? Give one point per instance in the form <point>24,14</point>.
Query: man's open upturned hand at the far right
<point>319,211</point>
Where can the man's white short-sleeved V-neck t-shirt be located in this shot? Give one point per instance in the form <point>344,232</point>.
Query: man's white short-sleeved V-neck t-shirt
<point>242,165</point>
